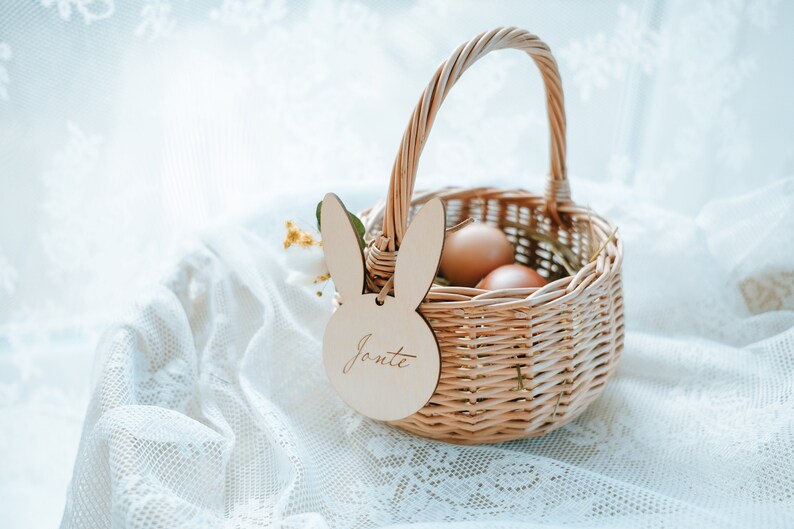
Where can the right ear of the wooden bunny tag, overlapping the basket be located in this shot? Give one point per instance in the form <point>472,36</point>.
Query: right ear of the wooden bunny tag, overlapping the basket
<point>420,253</point>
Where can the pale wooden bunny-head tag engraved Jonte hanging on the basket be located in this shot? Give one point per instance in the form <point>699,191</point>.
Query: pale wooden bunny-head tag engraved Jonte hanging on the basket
<point>382,359</point>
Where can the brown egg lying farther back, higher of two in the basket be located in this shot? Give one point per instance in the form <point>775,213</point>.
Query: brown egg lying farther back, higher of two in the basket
<point>472,252</point>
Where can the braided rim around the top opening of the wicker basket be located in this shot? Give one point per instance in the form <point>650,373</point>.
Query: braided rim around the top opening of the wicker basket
<point>590,277</point>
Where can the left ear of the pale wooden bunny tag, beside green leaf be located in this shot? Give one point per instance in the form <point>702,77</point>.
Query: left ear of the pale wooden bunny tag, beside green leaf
<point>342,251</point>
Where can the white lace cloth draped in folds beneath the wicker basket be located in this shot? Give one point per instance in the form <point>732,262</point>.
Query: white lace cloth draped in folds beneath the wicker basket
<point>211,407</point>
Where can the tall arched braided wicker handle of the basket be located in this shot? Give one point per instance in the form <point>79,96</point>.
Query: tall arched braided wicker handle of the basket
<point>403,176</point>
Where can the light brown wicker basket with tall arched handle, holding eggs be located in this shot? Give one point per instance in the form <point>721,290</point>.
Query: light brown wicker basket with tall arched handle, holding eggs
<point>521,362</point>
